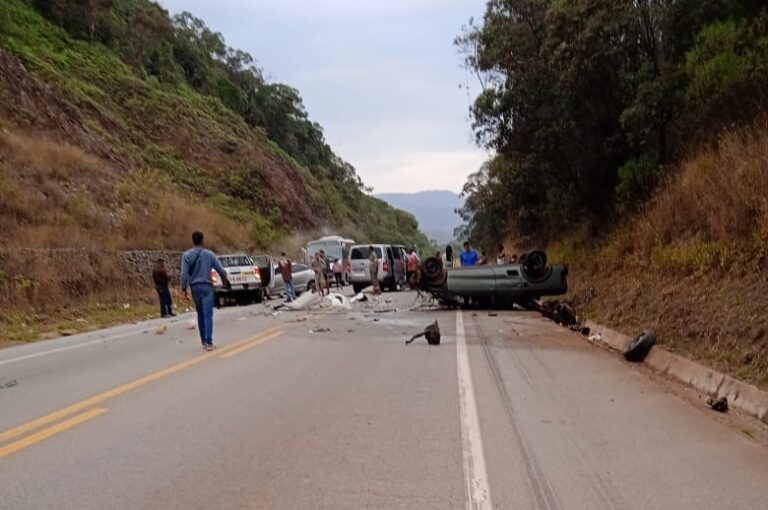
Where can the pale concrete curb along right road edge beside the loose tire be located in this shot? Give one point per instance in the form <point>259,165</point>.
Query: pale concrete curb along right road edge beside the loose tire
<point>741,395</point>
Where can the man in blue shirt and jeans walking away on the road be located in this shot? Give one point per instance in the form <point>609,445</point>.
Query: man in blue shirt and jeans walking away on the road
<point>196,266</point>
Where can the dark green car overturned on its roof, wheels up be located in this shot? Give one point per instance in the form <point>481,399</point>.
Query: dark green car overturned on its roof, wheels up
<point>494,286</point>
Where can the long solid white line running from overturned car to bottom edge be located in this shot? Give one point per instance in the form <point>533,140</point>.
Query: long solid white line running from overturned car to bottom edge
<point>478,492</point>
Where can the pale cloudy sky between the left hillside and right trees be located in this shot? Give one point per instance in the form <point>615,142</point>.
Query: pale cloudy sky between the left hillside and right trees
<point>381,76</point>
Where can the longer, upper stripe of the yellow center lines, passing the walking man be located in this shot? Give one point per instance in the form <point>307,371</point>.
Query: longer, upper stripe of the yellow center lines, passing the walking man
<point>114,392</point>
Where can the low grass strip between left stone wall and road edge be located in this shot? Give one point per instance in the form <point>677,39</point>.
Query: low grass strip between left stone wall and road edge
<point>19,328</point>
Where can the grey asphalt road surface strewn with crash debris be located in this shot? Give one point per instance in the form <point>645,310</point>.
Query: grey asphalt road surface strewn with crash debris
<point>509,412</point>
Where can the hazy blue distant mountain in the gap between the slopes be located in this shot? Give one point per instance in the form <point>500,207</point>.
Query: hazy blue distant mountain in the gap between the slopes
<point>433,209</point>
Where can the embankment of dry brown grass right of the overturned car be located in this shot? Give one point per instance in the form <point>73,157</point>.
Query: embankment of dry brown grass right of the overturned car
<point>693,265</point>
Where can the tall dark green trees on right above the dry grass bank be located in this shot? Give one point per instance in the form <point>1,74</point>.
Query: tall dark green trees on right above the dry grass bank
<point>589,103</point>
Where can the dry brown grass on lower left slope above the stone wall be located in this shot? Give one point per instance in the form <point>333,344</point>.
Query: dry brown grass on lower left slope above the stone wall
<point>57,196</point>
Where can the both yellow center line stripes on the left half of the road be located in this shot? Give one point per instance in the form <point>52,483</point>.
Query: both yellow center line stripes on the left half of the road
<point>85,405</point>
